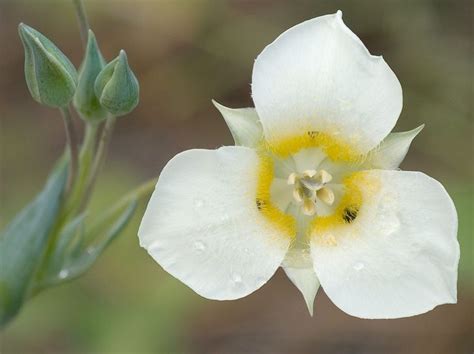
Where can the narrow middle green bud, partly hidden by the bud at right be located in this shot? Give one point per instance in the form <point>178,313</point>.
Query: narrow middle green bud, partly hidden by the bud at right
<point>85,100</point>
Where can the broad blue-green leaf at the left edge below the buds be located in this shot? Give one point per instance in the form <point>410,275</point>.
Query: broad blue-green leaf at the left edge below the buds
<point>24,241</point>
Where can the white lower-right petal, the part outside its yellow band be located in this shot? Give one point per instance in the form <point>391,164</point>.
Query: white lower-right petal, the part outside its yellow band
<point>399,256</point>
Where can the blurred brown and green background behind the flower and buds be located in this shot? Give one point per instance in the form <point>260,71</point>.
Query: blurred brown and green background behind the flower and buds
<point>184,53</point>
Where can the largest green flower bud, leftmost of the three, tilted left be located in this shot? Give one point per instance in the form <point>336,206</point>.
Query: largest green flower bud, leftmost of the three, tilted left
<point>50,76</point>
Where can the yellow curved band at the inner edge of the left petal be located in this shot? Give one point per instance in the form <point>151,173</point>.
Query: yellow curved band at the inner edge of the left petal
<point>286,223</point>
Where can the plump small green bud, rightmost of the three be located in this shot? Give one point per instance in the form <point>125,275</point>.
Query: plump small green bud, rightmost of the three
<point>117,87</point>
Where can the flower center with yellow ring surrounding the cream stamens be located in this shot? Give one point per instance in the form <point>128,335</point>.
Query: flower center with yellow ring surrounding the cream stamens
<point>296,192</point>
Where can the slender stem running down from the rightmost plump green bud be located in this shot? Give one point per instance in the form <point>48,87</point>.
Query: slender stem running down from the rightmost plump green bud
<point>99,159</point>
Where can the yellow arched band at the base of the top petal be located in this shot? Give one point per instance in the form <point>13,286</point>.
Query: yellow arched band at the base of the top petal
<point>334,148</point>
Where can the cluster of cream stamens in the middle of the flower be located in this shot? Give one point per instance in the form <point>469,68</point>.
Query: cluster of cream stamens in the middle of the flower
<point>310,188</point>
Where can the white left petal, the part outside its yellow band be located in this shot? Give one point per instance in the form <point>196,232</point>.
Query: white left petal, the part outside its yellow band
<point>202,224</point>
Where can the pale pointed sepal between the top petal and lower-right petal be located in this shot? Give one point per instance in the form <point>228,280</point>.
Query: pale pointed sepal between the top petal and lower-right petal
<point>393,149</point>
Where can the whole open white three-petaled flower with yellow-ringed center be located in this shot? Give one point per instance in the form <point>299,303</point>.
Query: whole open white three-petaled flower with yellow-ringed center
<point>313,186</point>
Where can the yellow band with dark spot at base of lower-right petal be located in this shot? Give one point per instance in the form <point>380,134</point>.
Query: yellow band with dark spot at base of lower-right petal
<point>358,187</point>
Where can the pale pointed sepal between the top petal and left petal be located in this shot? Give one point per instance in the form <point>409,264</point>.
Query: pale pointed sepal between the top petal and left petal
<point>243,124</point>
